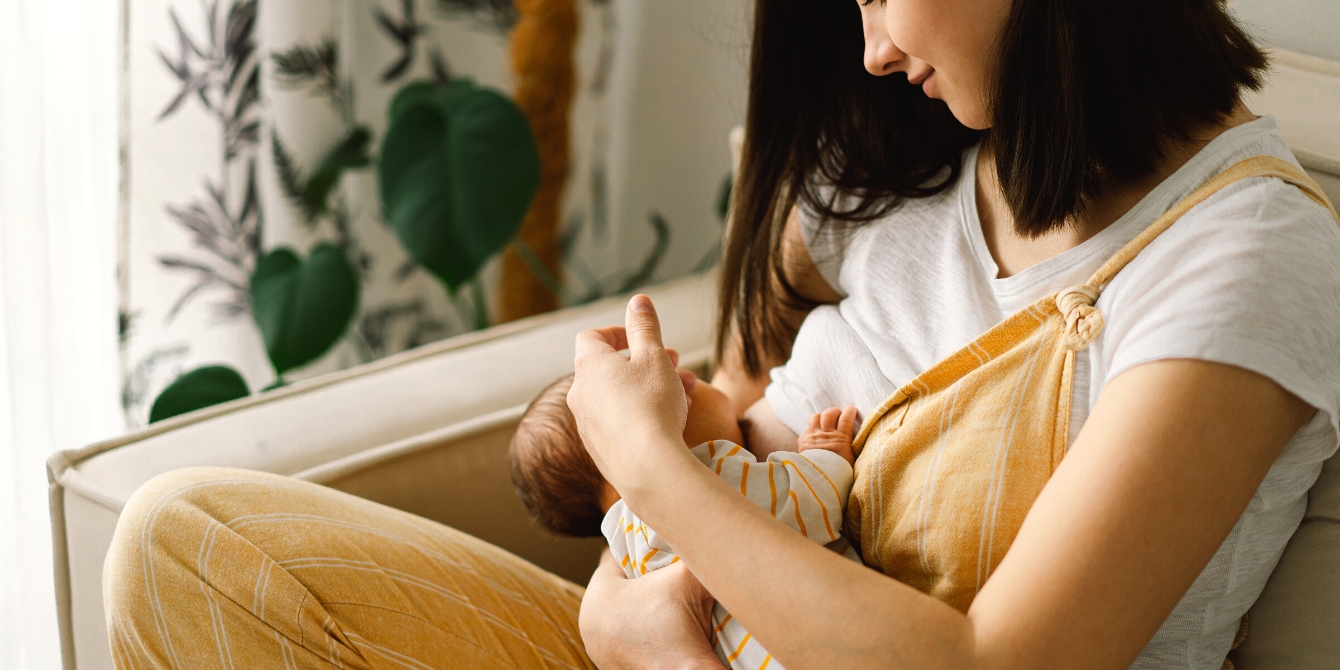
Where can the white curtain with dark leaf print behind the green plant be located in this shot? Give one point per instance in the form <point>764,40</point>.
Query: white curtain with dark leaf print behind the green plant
<point>234,104</point>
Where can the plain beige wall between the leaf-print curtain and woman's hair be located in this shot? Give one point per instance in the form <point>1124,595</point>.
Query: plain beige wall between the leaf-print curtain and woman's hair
<point>683,84</point>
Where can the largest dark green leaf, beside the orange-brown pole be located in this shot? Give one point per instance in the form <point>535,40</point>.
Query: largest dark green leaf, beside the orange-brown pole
<point>459,171</point>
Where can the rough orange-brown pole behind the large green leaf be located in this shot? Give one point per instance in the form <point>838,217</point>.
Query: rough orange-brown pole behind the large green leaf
<point>543,45</point>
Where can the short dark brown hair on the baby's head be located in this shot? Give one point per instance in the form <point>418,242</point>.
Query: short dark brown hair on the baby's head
<point>551,470</point>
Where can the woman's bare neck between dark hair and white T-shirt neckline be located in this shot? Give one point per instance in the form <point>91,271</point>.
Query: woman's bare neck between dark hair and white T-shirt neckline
<point>1015,253</point>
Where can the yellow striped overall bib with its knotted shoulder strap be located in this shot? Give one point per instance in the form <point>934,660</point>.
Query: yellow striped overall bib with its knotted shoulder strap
<point>951,464</point>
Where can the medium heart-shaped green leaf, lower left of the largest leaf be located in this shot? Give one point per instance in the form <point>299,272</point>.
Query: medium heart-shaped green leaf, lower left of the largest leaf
<point>304,309</point>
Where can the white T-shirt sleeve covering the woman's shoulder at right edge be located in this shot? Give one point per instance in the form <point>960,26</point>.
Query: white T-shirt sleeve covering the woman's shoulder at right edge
<point>1250,278</point>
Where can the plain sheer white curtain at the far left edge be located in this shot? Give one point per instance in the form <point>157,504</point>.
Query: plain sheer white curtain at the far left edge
<point>58,283</point>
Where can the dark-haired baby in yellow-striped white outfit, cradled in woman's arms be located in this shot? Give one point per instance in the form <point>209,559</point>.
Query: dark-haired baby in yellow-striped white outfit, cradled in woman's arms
<point>565,492</point>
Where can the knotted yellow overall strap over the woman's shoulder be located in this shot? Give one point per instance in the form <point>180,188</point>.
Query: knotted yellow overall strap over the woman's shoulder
<point>1083,321</point>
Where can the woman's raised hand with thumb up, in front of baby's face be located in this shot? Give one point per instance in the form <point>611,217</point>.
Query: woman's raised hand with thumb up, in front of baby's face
<point>630,412</point>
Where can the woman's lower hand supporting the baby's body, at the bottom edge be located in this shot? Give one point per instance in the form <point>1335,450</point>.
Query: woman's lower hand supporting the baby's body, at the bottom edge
<point>663,620</point>
